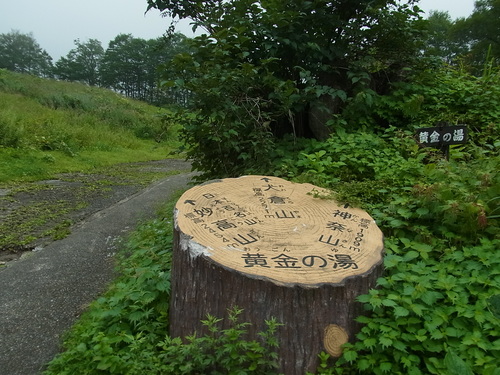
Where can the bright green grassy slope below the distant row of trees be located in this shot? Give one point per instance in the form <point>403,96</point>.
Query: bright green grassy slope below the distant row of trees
<point>47,126</point>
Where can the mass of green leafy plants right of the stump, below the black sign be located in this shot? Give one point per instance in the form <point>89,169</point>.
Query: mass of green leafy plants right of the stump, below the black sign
<point>434,309</point>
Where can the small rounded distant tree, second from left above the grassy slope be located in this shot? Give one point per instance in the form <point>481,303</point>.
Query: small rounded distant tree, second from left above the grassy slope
<point>81,63</point>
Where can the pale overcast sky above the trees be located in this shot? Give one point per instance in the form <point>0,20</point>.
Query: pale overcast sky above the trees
<point>55,24</point>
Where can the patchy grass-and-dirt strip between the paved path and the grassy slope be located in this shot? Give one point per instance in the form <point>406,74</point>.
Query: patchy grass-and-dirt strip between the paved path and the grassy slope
<point>33,215</point>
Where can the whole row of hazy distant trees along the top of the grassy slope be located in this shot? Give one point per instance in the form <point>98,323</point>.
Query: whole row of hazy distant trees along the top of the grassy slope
<point>128,66</point>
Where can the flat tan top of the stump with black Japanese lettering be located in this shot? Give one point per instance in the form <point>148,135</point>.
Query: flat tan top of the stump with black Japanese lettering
<point>273,229</point>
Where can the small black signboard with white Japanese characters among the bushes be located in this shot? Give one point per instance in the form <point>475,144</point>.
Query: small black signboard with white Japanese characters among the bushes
<point>440,136</point>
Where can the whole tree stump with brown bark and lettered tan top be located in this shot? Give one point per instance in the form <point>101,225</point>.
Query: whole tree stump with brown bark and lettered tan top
<point>272,248</point>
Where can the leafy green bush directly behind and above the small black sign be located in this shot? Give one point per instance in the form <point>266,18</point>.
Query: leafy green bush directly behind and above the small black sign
<point>442,94</point>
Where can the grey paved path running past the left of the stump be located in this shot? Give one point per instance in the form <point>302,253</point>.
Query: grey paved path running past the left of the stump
<point>42,295</point>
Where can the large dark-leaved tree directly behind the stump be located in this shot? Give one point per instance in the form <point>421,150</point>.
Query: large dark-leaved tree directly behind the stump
<point>267,68</point>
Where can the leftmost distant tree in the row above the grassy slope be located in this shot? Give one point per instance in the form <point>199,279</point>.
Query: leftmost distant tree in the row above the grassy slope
<point>21,53</point>
